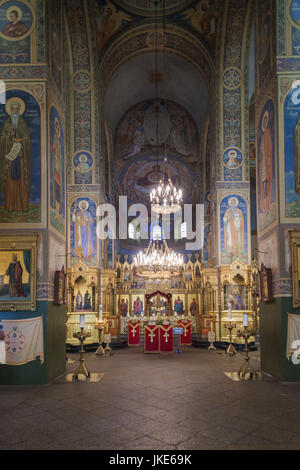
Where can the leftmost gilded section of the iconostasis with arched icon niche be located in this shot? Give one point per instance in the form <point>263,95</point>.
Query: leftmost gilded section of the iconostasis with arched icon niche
<point>83,302</point>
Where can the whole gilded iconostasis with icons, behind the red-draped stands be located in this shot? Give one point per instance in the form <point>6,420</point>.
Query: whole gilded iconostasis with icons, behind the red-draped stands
<point>199,293</point>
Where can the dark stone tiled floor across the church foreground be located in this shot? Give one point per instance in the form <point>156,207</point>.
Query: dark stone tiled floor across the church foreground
<point>153,402</point>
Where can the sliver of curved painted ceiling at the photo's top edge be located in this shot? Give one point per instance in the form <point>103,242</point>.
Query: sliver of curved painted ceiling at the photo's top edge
<point>146,7</point>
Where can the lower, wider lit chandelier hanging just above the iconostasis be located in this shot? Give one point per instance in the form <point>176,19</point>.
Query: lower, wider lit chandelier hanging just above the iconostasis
<point>158,261</point>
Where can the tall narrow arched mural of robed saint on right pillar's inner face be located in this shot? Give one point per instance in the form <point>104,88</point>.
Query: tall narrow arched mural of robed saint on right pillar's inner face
<point>266,170</point>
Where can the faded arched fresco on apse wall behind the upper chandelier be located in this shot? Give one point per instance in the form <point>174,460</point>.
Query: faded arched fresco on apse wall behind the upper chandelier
<point>148,133</point>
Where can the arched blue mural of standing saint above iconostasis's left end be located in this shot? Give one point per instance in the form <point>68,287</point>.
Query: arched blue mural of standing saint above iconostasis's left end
<point>83,230</point>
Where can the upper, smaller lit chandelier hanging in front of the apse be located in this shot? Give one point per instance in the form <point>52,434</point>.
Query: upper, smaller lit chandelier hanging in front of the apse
<point>166,199</point>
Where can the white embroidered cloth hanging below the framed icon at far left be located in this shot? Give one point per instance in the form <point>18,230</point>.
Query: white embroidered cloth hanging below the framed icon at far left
<point>24,341</point>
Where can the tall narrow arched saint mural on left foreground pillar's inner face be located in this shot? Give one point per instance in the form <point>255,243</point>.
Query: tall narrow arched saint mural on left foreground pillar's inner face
<point>57,172</point>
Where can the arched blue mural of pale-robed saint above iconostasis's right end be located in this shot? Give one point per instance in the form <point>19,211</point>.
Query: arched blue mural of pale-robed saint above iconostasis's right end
<point>234,229</point>
